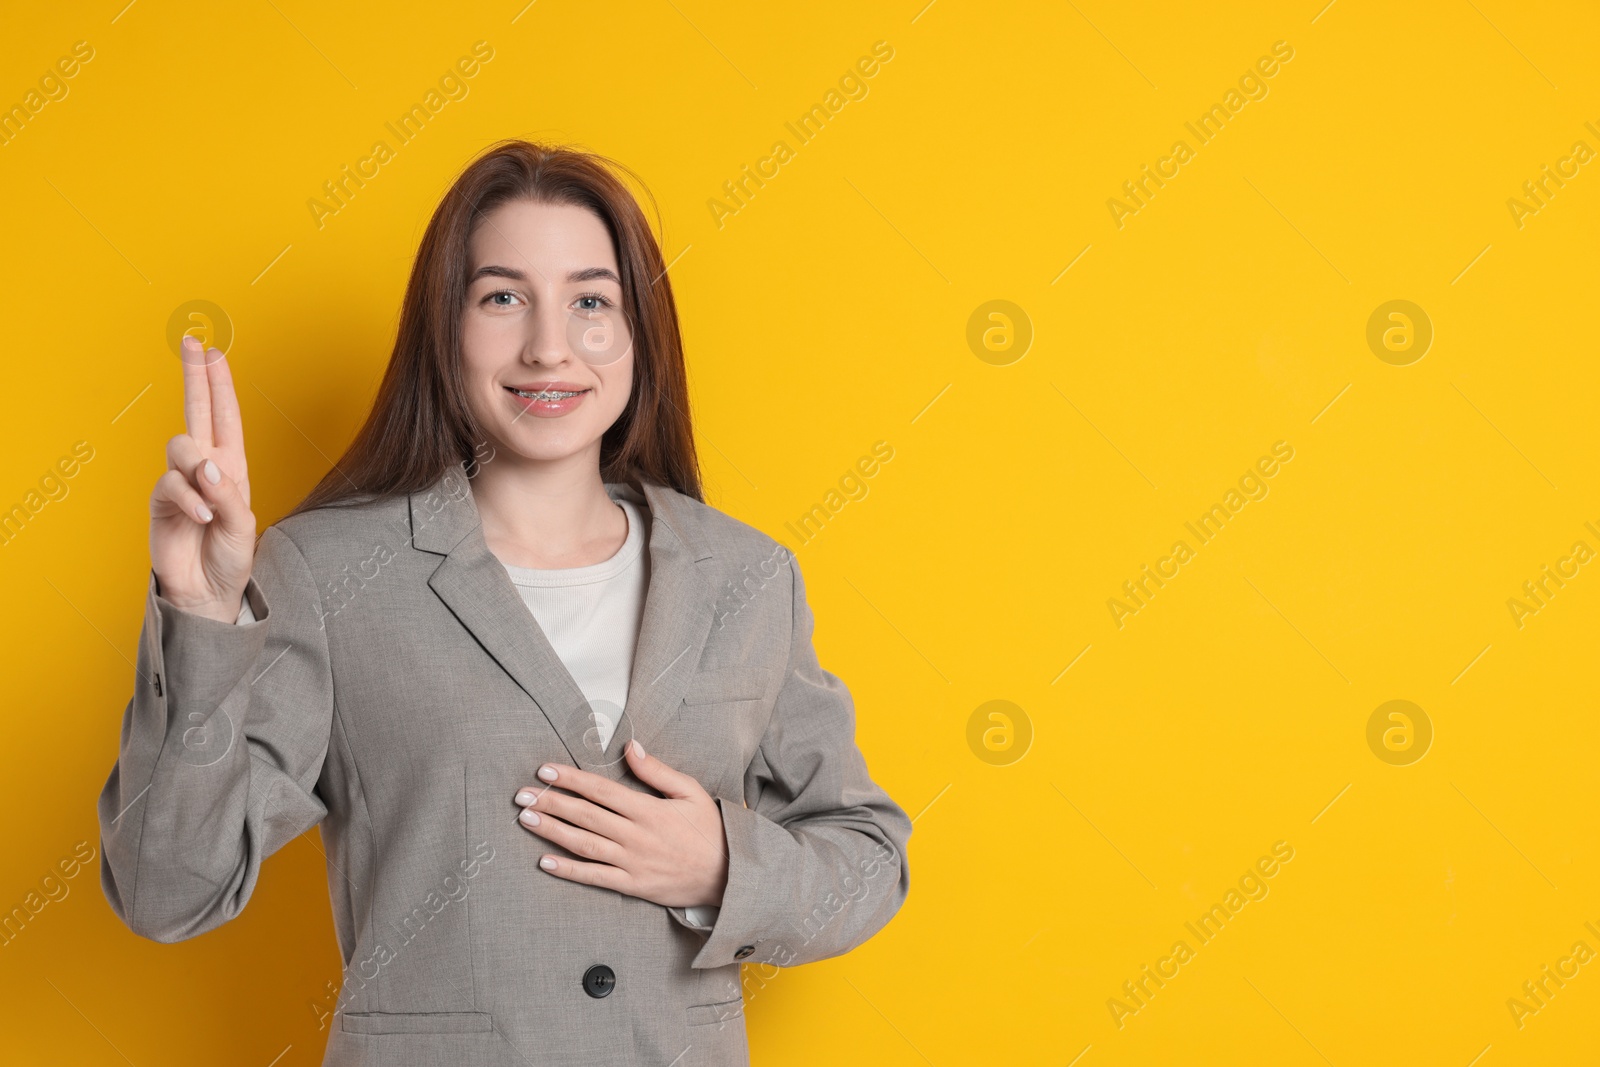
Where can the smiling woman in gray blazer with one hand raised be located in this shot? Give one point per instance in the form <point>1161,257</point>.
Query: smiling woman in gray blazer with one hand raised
<point>561,722</point>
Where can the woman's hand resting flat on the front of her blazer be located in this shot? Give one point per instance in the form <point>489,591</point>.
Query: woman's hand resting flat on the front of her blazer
<point>668,850</point>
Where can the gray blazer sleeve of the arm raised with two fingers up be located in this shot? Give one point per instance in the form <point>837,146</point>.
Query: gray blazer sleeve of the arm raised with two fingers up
<point>222,749</point>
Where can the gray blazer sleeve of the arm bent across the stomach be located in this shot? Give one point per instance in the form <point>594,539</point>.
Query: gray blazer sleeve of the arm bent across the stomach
<point>817,861</point>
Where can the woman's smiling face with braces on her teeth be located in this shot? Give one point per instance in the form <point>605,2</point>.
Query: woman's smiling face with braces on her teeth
<point>546,351</point>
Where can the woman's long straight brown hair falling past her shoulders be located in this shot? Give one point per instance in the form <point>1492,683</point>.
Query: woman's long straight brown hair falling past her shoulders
<point>422,426</point>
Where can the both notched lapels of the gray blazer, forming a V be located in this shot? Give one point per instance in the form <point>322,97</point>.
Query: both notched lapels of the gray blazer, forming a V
<point>679,615</point>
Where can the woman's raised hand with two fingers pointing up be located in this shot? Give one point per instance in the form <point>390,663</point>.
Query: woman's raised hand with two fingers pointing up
<point>202,530</point>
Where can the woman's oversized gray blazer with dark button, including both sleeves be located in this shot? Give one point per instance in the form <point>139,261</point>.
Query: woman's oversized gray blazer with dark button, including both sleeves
<point>396,690</point>
